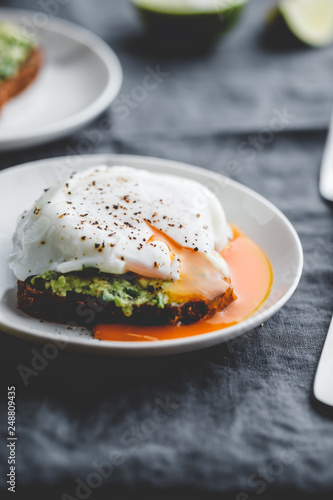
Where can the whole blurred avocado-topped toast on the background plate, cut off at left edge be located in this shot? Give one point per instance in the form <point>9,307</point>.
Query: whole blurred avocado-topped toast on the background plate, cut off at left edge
<point>20,61</point>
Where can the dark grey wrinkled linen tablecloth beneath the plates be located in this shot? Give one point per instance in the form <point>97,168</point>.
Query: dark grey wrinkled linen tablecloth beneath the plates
<point>239,423</point>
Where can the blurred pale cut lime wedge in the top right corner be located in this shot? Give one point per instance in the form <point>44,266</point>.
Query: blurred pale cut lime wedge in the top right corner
<point>308,21</point>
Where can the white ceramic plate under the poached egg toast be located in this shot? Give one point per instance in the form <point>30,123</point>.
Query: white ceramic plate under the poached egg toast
<point>259,219</point>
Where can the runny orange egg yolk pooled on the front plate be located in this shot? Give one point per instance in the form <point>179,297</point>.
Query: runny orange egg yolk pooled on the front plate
<point>251,276</point>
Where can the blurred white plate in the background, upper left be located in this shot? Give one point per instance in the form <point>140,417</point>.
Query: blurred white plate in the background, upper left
<point>80,78</point>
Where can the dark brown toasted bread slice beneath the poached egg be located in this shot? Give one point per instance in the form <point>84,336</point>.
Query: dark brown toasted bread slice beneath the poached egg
<point>83,310</point>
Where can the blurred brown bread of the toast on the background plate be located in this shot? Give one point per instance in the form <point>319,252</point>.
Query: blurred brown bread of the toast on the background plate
<point>27,73</point>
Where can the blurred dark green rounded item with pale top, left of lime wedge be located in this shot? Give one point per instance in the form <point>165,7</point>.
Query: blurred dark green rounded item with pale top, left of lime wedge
<point>189,21</point>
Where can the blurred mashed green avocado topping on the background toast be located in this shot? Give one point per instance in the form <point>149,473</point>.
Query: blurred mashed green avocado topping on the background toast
<point>15,48</point>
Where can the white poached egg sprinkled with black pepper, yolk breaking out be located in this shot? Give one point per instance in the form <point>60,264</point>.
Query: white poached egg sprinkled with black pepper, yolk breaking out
<point>121,219</point>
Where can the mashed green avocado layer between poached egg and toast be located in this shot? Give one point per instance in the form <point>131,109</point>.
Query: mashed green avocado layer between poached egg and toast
<point>125,291</point>
